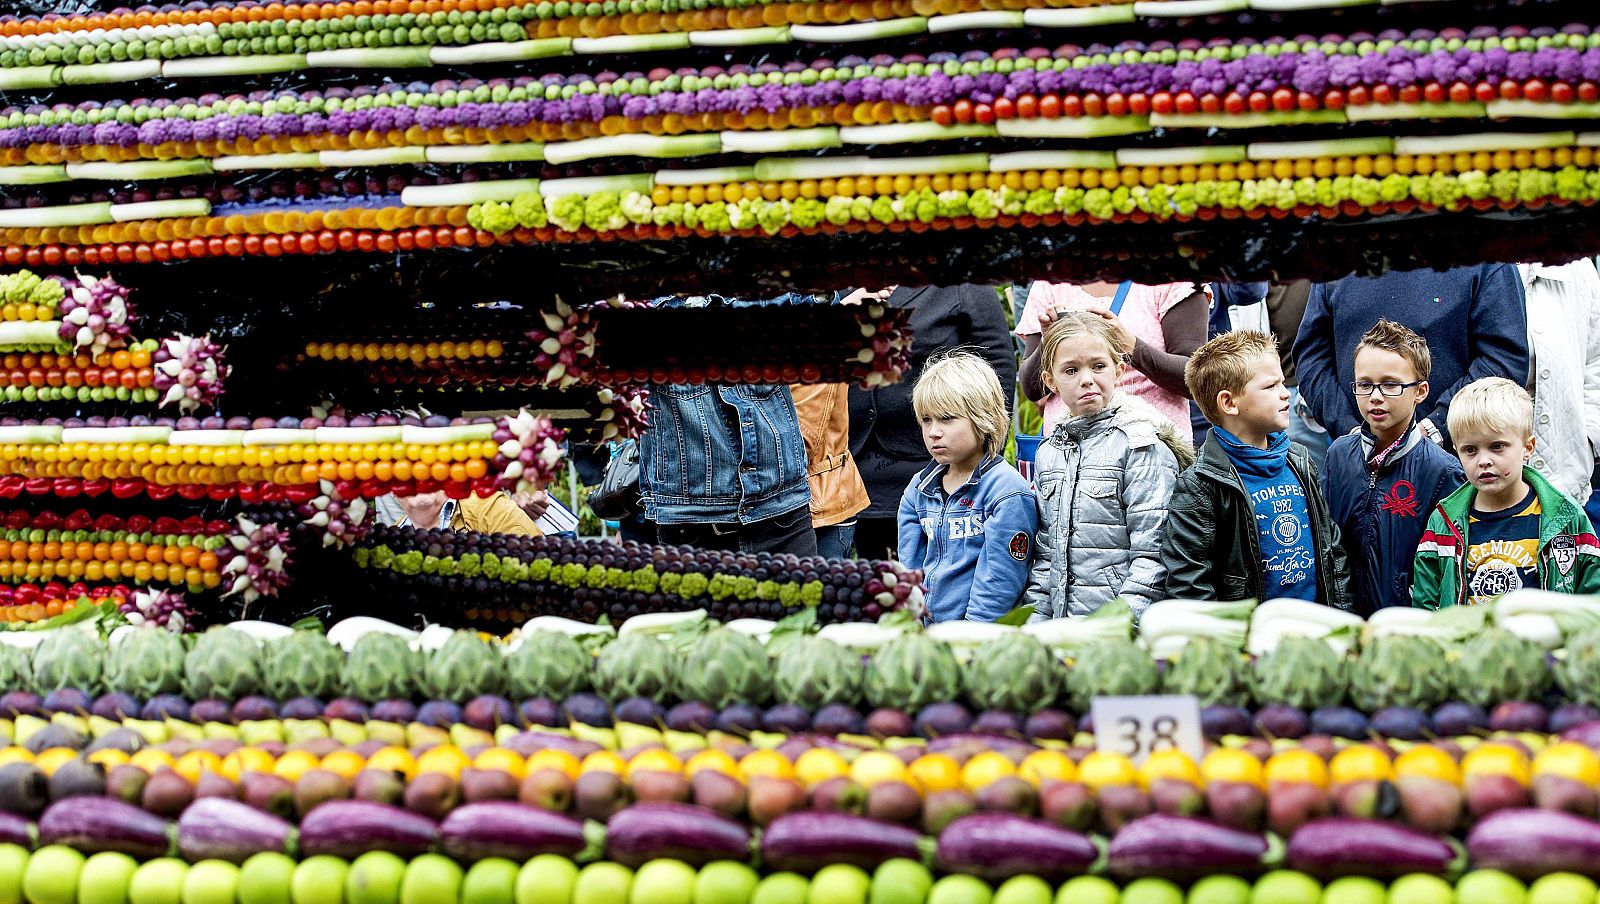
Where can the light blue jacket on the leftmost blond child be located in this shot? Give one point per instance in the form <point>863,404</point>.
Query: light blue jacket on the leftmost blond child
<point>974,546</point>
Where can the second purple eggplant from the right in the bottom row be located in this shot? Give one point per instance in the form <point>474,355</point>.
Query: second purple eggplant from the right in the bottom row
<point>1335,847</point>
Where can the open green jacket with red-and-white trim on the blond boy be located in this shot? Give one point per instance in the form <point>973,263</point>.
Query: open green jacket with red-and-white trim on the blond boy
<point>1569,553</point>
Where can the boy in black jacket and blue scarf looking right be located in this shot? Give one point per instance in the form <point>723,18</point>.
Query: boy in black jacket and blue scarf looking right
<point>1249,519</point>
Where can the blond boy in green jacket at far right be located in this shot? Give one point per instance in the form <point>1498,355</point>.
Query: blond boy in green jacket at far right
<point>1506,529</point>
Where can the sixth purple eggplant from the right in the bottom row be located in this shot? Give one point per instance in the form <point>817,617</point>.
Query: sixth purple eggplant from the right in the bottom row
<point>682,831</point>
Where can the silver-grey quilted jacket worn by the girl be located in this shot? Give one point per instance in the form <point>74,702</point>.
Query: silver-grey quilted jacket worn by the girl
<point>1103,486</point>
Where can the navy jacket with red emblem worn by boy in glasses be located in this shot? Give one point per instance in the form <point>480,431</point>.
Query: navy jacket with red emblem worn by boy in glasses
<point>1382,518</point>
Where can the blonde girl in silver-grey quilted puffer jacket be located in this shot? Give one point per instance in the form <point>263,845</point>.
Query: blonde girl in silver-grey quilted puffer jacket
<point>1103,479</point>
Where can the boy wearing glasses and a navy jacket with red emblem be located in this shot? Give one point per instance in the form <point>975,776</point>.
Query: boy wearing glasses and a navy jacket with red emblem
<point>1385,479</point>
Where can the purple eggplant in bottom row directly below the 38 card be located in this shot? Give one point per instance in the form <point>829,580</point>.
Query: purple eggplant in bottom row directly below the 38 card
<point>1186,849</point>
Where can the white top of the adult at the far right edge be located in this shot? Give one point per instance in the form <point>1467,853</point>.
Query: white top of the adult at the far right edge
<point>1564,337</point>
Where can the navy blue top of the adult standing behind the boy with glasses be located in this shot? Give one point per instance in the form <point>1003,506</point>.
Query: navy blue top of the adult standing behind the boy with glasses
<point>1474,319</point>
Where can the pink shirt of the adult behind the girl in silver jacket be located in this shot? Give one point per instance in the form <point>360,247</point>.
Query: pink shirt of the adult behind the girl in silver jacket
<point>1142,313</point>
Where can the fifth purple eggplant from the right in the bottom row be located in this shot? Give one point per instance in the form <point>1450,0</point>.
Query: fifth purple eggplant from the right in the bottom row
<point>807,842</point>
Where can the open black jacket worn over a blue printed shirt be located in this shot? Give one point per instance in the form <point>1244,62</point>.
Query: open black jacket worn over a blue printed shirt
<point>1214,548</point>
